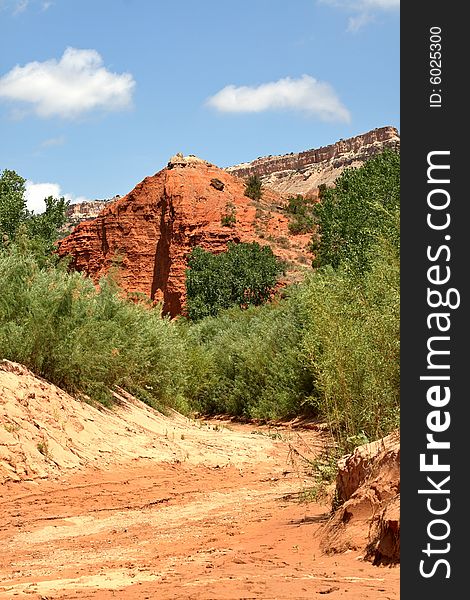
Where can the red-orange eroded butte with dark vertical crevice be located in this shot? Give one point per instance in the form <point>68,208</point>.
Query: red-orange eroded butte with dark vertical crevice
<point>148,234</point>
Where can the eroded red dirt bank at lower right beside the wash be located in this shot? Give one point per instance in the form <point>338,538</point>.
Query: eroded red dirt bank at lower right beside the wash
<point>368,488</point>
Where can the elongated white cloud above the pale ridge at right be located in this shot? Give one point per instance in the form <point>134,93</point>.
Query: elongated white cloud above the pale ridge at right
<point>306,94</point>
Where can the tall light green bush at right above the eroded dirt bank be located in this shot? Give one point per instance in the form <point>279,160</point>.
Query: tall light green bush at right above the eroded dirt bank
<point>353,347</point>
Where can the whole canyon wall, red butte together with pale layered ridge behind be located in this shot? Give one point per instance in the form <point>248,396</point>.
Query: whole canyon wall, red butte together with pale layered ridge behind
<point>147,235</point>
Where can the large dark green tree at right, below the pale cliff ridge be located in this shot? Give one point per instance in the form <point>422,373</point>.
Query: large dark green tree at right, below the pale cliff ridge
<point>361,209</point>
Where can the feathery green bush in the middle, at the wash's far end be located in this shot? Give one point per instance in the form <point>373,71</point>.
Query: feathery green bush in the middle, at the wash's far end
<point>249,363</point>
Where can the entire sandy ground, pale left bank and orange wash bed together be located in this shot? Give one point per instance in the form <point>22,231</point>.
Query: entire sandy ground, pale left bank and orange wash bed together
<point>193,510</point>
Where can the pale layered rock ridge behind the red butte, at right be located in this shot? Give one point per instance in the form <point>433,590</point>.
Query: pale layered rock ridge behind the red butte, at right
<point>303,172</point>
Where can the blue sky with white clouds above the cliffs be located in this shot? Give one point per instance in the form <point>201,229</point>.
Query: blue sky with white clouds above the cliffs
<point>97,94</point>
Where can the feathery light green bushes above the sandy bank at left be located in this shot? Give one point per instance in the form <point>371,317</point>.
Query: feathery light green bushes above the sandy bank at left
<point>84,340</point>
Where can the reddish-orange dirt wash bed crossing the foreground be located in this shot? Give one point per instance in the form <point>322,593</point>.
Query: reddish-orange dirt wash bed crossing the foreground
<point>144,529</point>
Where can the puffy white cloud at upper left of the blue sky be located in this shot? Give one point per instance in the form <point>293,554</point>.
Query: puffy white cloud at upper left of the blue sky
<point>76,84</point>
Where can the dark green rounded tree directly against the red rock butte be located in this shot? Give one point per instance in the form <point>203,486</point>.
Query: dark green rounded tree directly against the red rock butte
<point>245,274</point>
